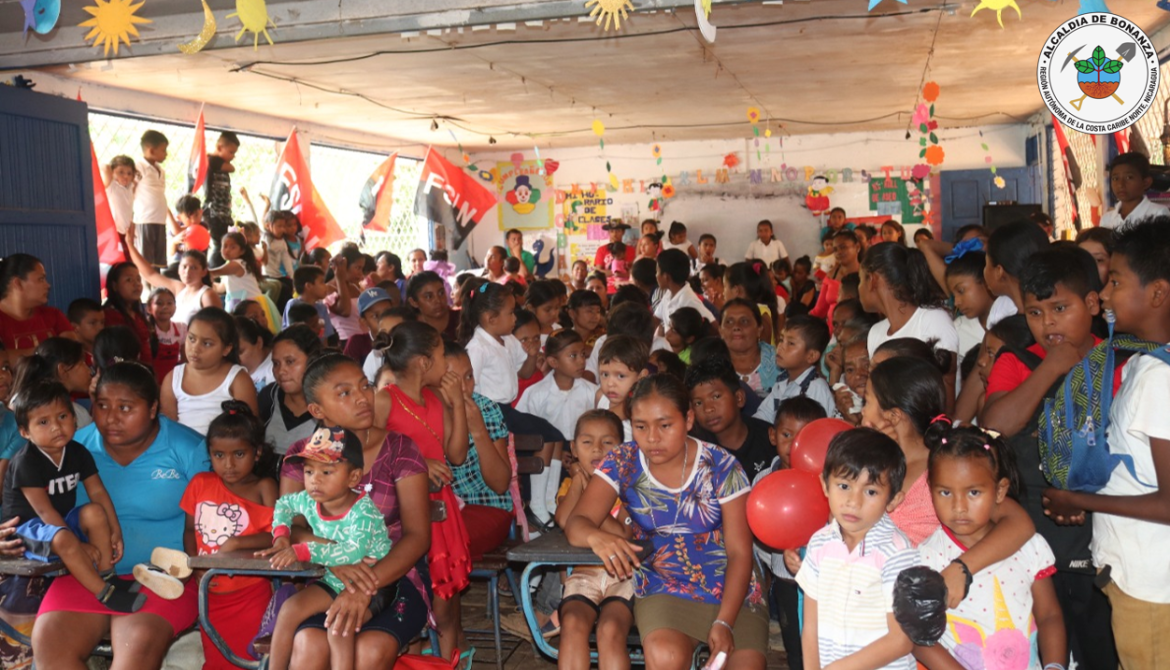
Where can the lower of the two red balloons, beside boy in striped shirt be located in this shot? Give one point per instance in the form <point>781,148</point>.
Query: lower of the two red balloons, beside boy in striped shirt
<point>787,508</point>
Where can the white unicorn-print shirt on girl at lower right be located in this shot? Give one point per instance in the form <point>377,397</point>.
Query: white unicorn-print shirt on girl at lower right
<point>993,628</point>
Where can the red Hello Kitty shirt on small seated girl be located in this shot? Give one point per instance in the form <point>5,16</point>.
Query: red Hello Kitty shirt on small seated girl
<point>221,515</point>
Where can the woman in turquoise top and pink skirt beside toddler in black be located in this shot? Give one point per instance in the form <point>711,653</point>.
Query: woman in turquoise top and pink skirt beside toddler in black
<point>147,462</point>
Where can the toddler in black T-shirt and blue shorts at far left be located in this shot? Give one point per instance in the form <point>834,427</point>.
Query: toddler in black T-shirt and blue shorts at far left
<point>40,489</point>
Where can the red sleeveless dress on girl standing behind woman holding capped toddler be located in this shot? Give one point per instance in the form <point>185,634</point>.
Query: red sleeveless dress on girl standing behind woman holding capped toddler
<point>449,557</point>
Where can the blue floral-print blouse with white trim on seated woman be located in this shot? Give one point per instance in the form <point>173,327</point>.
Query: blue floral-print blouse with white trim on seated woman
<point>686,524</point>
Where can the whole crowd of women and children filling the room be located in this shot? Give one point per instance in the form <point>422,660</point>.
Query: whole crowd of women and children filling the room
<point>258,396</point>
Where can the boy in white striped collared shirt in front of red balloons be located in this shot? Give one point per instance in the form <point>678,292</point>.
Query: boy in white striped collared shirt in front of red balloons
<point>851,565</point>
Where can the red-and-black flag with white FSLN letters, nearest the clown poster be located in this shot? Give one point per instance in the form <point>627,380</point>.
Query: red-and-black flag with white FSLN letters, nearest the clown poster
<point>451,201</point>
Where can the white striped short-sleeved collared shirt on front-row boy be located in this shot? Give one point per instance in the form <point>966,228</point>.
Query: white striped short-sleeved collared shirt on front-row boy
<point>855,591</point>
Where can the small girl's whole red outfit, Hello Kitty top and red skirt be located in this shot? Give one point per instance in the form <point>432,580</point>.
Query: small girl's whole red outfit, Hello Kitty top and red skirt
<point>237,604</point>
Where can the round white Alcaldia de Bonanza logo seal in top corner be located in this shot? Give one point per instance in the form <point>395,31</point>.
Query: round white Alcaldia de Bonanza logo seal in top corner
<point>1098,73</point>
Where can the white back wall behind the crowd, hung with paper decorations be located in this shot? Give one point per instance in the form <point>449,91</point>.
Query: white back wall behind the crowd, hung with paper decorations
<point>732,211</point>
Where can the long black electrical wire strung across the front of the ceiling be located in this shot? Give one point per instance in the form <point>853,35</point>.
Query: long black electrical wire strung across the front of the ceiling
<point>603,38</point>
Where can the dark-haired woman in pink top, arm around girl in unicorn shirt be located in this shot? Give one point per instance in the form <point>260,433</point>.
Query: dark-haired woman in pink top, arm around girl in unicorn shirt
<point>904,397</point>
